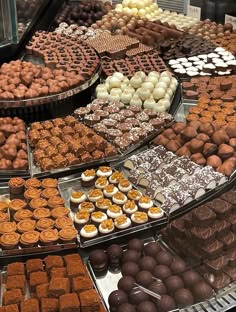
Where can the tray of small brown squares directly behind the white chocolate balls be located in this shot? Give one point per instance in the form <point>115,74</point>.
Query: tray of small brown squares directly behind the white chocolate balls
<point>143,60</point>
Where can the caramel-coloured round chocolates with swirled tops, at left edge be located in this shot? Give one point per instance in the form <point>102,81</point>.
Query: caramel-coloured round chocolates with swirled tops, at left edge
<point>35,216</point>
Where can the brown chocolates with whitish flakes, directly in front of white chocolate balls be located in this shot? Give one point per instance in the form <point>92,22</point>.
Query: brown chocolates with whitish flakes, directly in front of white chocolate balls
<point>125,127</point>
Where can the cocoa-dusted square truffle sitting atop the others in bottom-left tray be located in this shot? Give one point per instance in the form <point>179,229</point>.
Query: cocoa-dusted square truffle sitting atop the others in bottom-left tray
<point>59,286</point>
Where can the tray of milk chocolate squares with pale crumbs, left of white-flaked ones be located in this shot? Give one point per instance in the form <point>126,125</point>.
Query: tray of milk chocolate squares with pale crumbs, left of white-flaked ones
<point>66,142</point>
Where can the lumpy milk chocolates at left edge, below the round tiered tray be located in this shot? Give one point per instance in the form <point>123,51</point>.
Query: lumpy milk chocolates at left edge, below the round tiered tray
<point>13,148</point>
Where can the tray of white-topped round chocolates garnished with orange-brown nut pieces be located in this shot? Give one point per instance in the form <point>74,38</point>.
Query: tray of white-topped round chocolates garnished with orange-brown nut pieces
<point>106,202</point>
